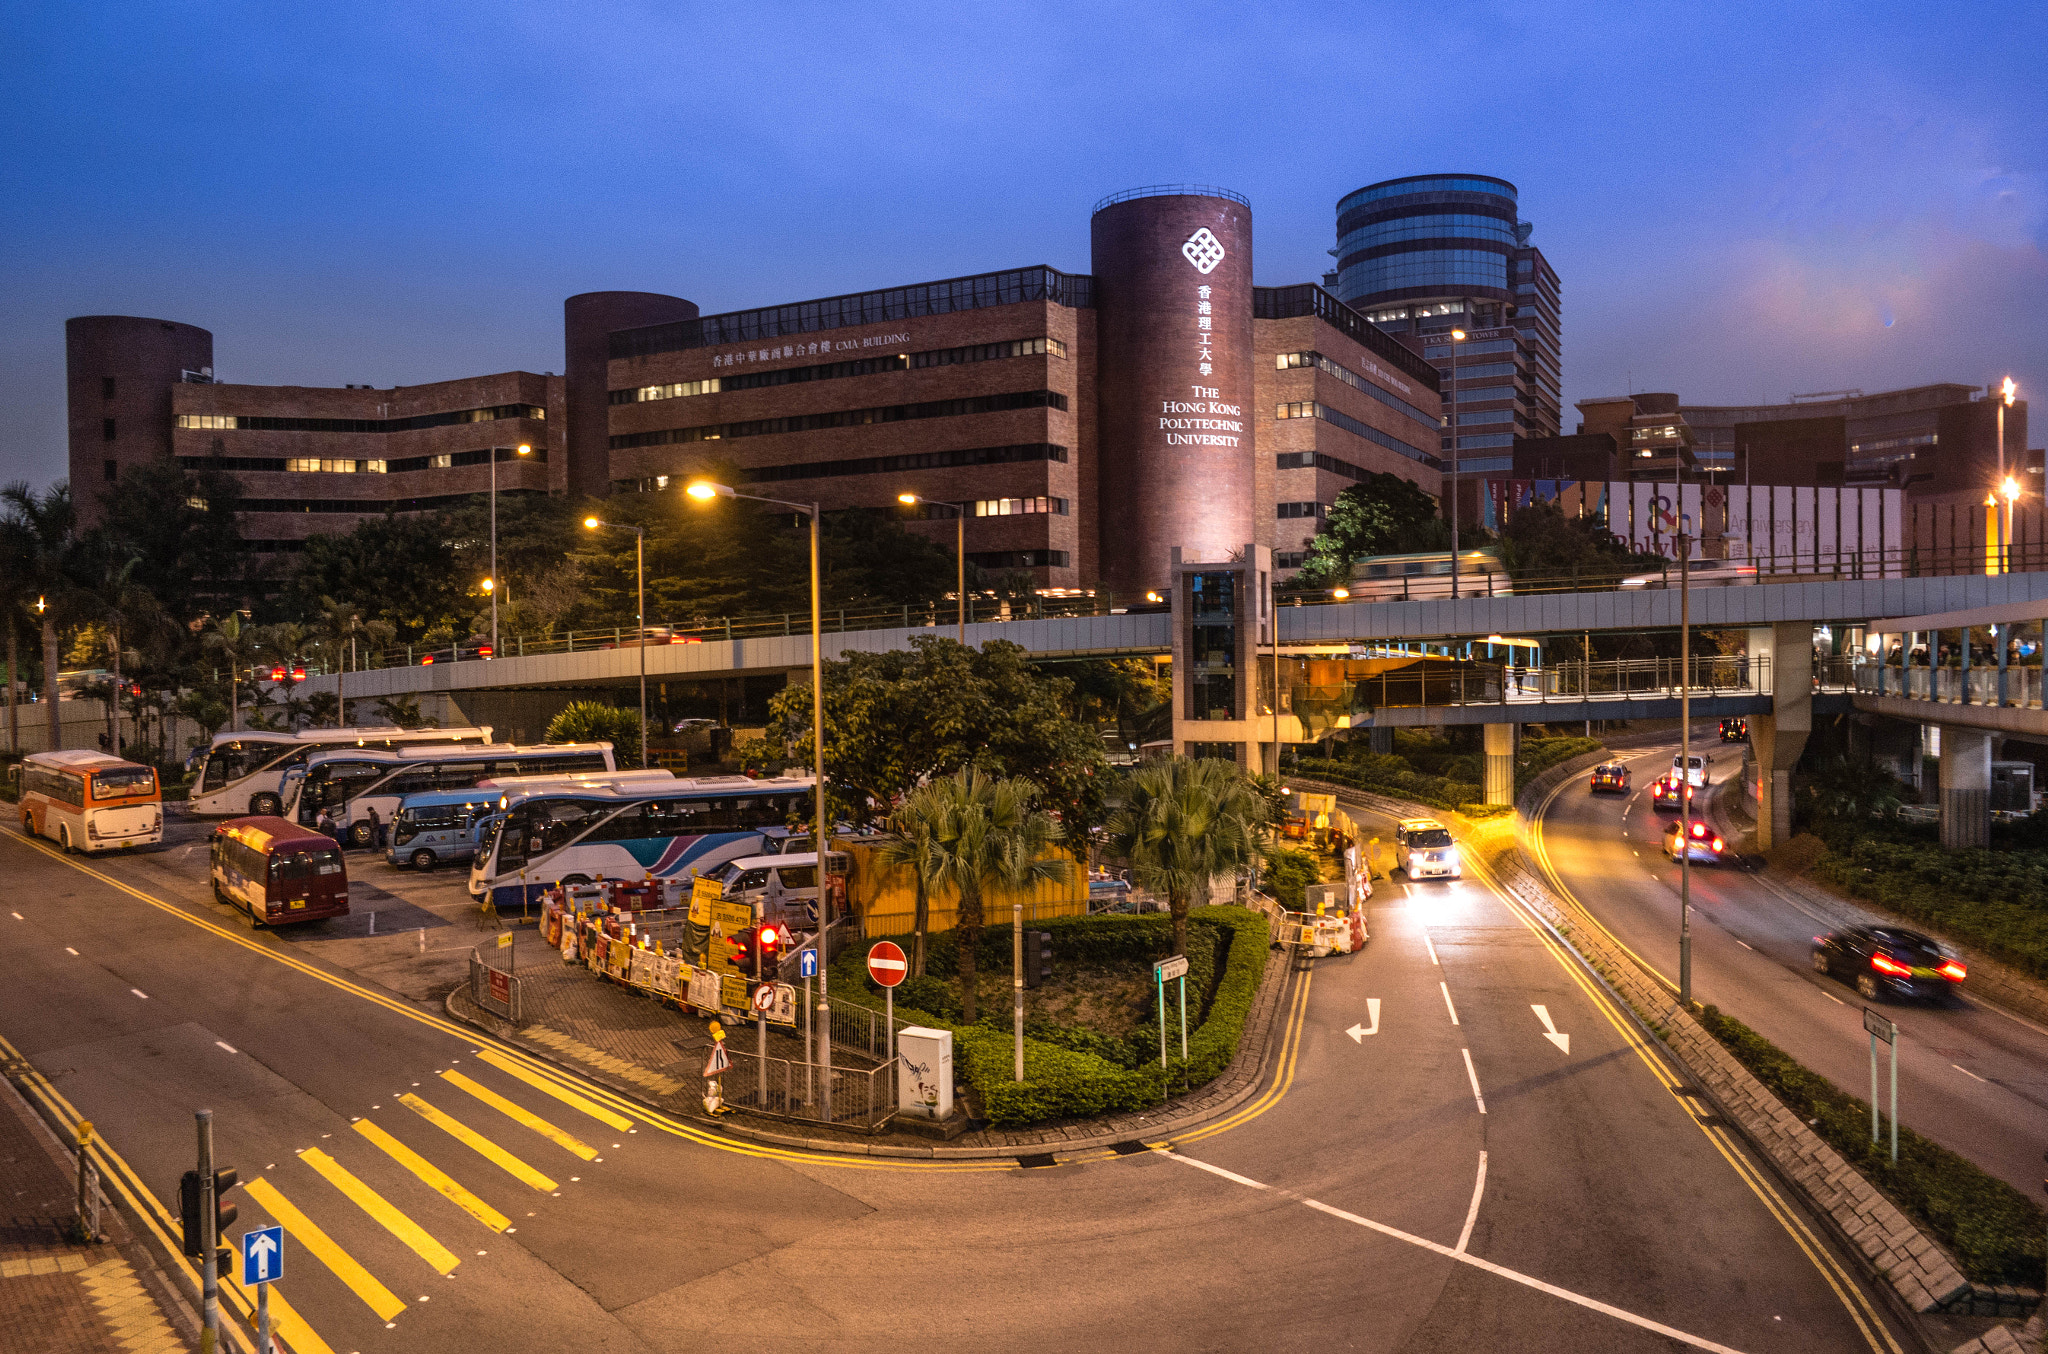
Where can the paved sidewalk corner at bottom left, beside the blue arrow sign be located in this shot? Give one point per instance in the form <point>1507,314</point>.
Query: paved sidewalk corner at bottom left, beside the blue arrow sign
<point>60,1296</point>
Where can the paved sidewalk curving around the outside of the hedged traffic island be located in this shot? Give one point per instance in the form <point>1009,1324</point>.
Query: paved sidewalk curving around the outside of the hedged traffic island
<point>656,1056</point>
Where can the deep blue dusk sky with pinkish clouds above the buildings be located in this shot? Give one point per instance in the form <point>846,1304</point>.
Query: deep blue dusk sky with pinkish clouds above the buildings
<point>1742,202</point>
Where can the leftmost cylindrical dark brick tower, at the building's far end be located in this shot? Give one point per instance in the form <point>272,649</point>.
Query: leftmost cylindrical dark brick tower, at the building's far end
<point>118,376</point>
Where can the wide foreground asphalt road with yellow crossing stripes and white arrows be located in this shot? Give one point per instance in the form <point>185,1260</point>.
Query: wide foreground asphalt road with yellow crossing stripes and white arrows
<point>447,1195</point>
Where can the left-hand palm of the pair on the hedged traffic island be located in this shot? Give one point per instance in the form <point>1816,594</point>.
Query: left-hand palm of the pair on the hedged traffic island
<point>988,837</point>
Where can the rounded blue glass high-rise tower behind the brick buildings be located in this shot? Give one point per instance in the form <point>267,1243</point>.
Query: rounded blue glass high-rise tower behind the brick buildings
<point>1433,253</point>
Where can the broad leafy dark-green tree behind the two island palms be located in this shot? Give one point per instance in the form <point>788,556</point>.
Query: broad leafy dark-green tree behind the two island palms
<point>900,718</point>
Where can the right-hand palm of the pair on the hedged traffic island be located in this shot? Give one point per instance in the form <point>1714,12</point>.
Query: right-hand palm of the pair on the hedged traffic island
<point>1185,822</point>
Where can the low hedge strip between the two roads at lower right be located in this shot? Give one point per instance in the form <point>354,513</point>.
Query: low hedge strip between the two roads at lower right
<point>1994,1230</point>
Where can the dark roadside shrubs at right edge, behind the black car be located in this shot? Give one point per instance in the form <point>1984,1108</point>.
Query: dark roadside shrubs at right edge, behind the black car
<point>1990,900</point>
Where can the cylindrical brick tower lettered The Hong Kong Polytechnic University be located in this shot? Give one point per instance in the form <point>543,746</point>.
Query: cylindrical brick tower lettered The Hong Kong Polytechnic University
<point>1175,380</point>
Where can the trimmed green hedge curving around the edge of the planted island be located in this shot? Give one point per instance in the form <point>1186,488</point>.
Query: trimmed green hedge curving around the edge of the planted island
<point>1078,1081</point>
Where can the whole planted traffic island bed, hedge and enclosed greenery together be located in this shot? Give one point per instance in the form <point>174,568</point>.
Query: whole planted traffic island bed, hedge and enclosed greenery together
<point>1093,1035</point>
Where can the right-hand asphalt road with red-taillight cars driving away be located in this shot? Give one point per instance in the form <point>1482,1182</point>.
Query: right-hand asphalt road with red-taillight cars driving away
<point>1971,1076</point>
